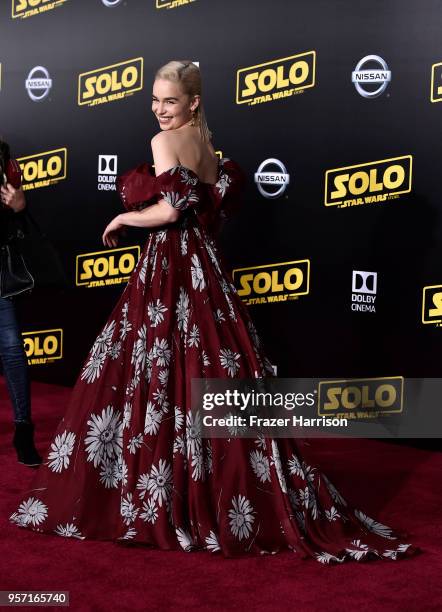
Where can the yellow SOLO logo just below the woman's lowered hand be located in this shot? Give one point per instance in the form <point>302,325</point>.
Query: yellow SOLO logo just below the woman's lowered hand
<point>106,267</point>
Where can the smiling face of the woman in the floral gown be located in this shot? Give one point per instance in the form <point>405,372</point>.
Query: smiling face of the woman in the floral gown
<point>172,107</point>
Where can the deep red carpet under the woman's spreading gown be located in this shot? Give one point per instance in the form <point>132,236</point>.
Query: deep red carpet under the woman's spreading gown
<point>104,576</point>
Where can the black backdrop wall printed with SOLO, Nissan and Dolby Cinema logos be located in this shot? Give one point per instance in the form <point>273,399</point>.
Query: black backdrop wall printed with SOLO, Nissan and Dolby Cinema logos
<point>333,109</point>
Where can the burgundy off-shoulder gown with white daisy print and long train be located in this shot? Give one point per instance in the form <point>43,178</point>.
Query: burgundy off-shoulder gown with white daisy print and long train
<point>127,461</point>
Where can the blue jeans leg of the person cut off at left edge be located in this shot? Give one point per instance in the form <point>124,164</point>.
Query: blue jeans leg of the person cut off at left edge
<point>15,365</point>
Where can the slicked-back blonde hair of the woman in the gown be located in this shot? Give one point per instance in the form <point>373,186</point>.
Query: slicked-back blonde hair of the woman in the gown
<point>188,75</point>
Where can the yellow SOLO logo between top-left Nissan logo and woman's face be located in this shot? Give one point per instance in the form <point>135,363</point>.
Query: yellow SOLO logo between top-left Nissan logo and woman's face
<point>110,83</point>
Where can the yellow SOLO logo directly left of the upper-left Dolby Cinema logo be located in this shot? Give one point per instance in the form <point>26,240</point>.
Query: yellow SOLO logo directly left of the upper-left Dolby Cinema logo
<point>43,169</point>
